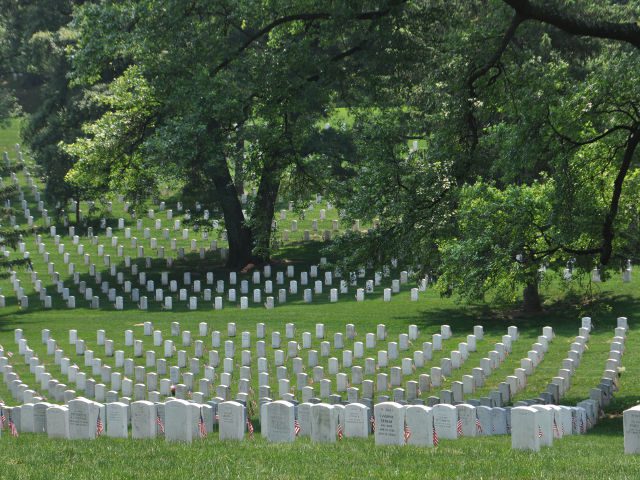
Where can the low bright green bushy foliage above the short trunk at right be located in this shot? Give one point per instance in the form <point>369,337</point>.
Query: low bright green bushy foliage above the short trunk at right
<point>501,240</point>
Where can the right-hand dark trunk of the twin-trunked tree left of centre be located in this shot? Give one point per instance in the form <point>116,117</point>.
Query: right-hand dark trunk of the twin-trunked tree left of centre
<point>264,209</point>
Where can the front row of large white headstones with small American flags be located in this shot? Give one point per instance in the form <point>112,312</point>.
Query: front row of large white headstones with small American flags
<point>283,421</point>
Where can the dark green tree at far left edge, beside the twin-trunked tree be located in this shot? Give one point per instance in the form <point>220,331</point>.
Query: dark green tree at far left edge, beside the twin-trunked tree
<point>36,40</point>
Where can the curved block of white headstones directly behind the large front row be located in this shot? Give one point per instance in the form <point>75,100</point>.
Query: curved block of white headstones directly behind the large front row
<point>140,390</point>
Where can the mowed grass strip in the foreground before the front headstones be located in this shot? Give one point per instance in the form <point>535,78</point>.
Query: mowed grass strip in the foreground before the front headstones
<point>596,455</point>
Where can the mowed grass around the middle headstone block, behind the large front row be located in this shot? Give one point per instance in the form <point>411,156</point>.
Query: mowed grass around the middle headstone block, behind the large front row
<point>428,314</point>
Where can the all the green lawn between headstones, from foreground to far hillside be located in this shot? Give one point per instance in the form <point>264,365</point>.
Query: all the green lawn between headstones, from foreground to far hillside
<point>599,454</point>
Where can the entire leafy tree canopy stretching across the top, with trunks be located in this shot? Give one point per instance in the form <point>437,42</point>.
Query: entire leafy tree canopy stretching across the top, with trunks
<point>484,141</point>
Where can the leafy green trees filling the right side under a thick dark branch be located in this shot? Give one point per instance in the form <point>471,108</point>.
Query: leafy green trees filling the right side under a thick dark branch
<point>506,99</point>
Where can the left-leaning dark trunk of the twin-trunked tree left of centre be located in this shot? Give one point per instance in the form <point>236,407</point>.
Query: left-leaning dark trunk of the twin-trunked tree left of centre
<point>239,234</point>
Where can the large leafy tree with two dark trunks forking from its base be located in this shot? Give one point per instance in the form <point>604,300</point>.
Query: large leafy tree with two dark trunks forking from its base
<point>262,70</point>
